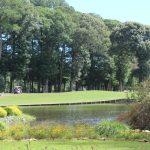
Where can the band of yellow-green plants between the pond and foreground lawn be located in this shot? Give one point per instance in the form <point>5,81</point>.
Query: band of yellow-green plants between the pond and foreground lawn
<point>79,131</point>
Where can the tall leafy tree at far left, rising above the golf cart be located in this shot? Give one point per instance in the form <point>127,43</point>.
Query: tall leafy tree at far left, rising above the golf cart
<point>16,25</point>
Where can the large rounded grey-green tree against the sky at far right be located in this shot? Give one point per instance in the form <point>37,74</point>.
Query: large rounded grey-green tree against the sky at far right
<point>128,41</point>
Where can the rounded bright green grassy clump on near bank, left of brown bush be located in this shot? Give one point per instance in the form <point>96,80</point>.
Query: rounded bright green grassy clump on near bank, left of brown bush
<point>110,128</point>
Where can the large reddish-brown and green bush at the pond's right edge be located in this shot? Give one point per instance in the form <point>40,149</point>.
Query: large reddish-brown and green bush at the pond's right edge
<point>139,115</point>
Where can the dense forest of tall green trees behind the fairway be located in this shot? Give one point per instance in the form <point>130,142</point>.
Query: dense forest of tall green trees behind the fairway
<point>47,46</point>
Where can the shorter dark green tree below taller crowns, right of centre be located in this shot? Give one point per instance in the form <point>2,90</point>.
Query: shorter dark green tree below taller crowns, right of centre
<point>101,74</point>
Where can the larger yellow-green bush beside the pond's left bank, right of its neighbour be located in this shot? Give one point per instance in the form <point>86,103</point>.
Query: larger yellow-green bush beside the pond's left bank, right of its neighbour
<point>13,111</point>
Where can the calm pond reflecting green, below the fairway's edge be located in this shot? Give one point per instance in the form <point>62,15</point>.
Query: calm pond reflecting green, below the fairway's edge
<point>90,114</point>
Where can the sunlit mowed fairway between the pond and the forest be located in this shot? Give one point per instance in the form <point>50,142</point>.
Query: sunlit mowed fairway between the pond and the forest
<point>56,98</point>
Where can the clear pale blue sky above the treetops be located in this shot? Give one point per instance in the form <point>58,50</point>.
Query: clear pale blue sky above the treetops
<point>122,10</point>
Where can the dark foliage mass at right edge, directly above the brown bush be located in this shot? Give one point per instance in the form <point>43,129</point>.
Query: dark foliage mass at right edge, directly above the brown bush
<point>130,42</point>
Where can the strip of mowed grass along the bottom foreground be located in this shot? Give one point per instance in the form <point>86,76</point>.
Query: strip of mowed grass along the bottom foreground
<point>74,145</point>
